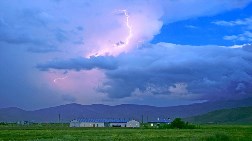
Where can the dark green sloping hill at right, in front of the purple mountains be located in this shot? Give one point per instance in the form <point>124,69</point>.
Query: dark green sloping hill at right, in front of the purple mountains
<point>241,115</point>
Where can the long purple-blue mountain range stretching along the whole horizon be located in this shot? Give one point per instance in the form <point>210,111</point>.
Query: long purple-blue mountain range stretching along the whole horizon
<point>126,111</point>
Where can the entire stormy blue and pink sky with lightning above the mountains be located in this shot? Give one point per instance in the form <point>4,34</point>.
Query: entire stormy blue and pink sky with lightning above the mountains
<point>151,52</point>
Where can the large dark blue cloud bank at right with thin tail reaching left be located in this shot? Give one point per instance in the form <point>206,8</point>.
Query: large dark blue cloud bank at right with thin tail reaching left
<point>214,72</point>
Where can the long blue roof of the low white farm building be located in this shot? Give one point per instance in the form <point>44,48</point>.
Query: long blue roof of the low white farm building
<point>102,120</point>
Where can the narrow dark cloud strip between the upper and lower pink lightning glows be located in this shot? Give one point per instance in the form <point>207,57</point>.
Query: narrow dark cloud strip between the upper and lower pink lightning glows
<point>80,63</point>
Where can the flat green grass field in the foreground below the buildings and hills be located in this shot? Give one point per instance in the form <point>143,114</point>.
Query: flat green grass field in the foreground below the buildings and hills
<point>54,132</point>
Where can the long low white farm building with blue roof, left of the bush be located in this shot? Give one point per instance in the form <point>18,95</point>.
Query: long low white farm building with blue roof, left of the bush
<point>104,123</point>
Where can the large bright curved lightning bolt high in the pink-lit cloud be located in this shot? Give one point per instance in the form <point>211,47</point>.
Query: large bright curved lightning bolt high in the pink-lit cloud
<point>127,40</point>
